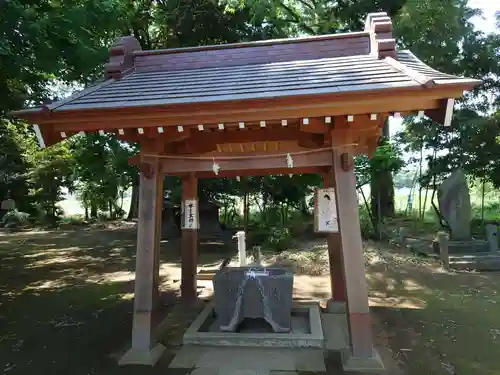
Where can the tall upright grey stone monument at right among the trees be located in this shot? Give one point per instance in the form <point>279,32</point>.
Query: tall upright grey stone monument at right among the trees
<point>454,204</point>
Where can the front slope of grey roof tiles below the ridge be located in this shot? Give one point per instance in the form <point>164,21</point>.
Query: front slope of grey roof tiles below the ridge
<point>320,76</point>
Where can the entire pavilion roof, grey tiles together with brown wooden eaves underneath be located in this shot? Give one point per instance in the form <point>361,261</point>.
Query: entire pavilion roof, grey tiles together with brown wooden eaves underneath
<point>145,93</point>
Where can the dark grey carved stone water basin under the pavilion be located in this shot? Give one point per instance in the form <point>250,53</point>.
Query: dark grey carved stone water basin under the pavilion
<point>253,292</point>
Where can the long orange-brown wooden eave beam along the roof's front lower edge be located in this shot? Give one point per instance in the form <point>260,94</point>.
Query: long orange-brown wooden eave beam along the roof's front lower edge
<point>400,100</point>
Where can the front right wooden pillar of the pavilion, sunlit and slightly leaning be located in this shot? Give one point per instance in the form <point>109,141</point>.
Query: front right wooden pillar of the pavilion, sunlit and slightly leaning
<point>358,313</point>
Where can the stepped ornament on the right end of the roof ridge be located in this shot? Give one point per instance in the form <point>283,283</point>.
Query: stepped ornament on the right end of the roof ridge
<point>382,42</point>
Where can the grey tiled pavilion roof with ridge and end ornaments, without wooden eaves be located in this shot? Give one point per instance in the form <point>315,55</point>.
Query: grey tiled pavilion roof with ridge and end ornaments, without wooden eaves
<point>338,63</point>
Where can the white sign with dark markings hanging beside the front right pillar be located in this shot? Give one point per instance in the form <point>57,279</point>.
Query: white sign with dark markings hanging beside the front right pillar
<point>325,211</point>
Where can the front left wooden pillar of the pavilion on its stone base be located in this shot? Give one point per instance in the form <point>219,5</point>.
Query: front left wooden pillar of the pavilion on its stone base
<point>144,348</point>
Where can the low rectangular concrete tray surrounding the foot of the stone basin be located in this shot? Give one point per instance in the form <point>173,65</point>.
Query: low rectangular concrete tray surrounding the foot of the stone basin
<point>306,331</point>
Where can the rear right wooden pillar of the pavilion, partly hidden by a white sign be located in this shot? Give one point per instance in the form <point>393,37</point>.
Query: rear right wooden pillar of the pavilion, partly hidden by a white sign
<point>337,279</point>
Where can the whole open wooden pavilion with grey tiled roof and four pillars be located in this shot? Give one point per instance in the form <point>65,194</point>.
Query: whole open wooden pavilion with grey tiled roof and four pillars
<point>303,105</point>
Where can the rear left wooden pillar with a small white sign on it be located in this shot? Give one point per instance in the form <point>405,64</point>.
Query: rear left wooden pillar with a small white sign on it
<point>190,226</point>
